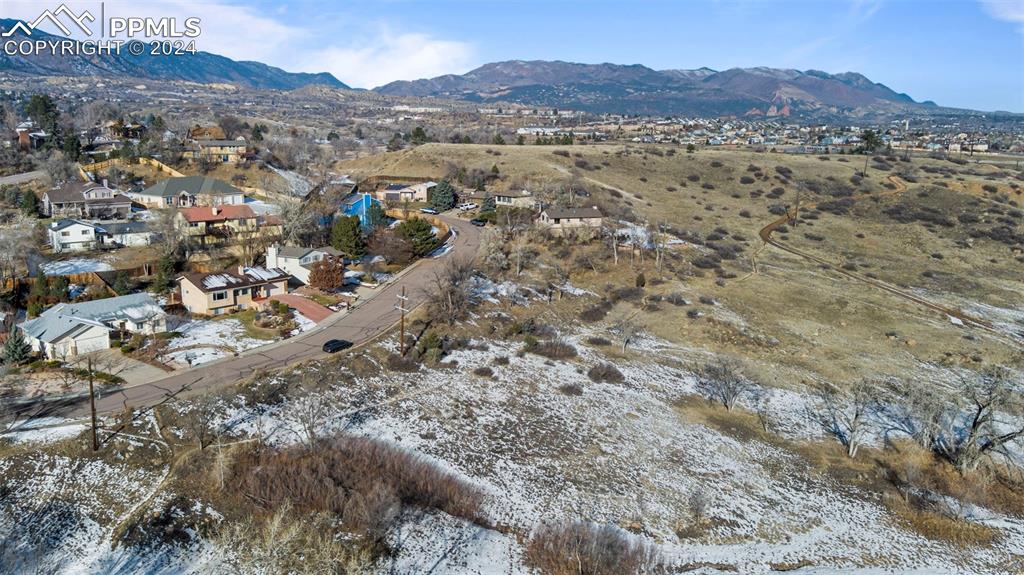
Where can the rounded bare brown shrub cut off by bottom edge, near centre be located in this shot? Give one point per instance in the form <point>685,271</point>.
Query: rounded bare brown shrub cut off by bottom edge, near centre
<point>573,549</point>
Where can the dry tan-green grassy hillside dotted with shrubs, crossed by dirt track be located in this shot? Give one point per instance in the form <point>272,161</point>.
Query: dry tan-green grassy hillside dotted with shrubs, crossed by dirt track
<point>796,319</point>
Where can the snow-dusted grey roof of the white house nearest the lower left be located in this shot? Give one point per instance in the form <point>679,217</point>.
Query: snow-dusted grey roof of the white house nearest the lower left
<point>65,319</point>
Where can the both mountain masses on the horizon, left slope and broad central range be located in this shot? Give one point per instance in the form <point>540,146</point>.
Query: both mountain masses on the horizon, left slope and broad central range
<point>634,90</point>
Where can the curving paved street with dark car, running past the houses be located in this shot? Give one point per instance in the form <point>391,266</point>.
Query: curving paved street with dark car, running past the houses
<point>364,323</point>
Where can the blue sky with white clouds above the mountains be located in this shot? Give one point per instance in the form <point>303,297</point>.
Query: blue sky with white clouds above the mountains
<point>967,54</point>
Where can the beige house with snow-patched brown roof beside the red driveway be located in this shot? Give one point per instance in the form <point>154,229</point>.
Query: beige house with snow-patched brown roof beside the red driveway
<point>226,292</point>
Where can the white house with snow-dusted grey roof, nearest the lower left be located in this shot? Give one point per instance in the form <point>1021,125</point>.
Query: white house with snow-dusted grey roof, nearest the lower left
<point>66,331</point>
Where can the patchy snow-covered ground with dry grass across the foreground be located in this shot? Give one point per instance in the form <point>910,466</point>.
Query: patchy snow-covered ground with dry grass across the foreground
<point>548,444</point>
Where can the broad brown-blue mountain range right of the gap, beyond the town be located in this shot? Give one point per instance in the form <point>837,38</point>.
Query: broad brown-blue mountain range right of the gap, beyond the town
<point>638,90</point>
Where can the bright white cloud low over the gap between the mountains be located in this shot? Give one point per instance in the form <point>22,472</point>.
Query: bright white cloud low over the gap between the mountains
<point>387,57</point>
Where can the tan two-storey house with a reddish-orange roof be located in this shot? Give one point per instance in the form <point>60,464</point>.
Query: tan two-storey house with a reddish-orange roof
<point>218,225</point>
